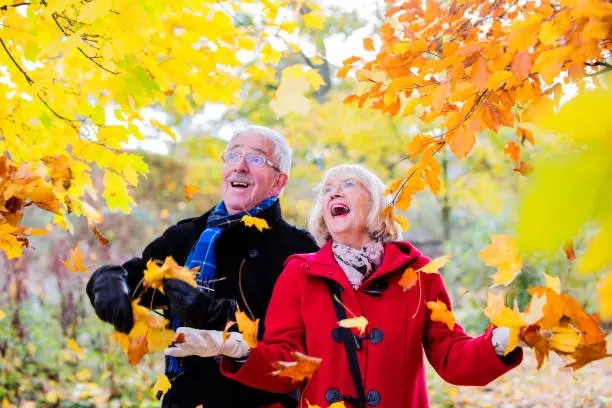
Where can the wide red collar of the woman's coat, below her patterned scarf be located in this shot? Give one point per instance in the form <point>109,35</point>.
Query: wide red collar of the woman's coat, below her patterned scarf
<point>397,255</point>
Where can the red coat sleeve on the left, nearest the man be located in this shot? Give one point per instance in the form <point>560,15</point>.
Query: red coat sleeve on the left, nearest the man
<point>284,334</point>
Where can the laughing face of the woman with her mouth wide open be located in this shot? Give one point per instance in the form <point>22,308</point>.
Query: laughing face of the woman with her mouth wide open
<point>345,205</point>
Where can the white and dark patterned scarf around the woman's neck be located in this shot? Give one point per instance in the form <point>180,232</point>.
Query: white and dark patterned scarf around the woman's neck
<point>359,264</point>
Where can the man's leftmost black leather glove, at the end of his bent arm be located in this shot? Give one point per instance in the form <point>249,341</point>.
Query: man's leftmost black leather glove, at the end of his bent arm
<point>109,294</point>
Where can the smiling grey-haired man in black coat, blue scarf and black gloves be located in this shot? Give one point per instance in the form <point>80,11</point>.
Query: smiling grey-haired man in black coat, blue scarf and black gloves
<point>241,262</point>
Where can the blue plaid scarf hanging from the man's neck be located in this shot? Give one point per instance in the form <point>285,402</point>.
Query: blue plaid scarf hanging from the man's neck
<point>203,255</point>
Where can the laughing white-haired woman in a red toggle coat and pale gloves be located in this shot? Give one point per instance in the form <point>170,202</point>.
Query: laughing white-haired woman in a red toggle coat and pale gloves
<point>357,269</point>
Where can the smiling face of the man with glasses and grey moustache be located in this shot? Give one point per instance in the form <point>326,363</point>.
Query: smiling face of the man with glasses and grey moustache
<point>243,185</point>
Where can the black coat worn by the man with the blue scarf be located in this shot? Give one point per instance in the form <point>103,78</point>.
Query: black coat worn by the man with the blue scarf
<point>262,255</point>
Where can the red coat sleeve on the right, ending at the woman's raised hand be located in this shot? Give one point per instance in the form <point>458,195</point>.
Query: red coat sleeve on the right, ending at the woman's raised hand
<point>458,358</point>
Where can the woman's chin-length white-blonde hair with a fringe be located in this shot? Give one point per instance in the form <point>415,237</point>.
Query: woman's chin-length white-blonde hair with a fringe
<point>380,225</point>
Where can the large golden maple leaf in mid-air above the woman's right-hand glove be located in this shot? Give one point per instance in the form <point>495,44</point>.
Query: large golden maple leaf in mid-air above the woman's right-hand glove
<point>504,255</point>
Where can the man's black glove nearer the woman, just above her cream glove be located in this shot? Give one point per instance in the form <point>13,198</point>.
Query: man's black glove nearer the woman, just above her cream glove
<point>197,309</point>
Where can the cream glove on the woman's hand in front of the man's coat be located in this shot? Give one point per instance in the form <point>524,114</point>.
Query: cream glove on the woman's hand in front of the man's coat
<point>208,343</point>
